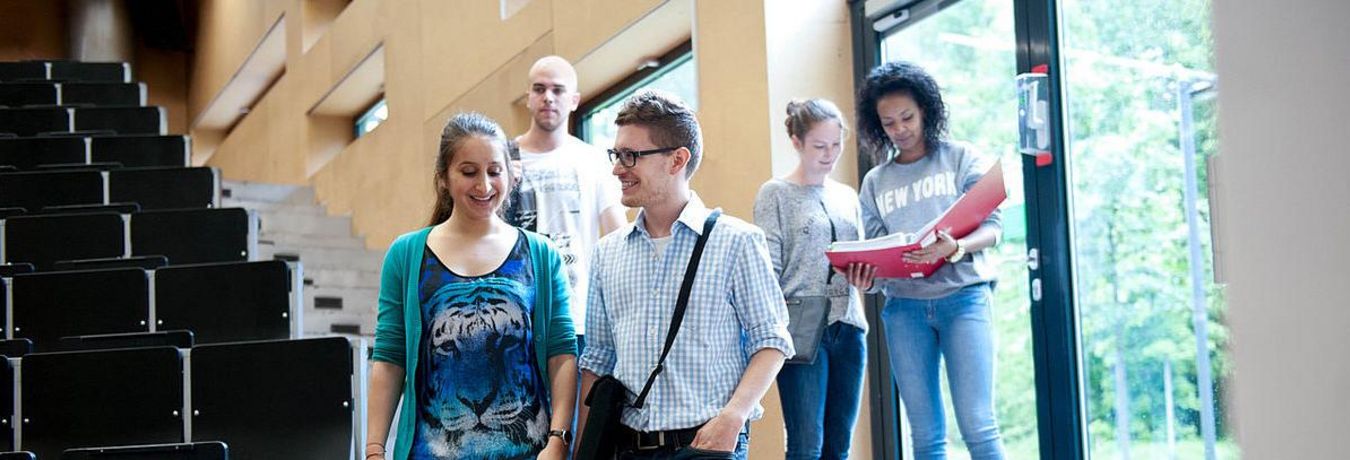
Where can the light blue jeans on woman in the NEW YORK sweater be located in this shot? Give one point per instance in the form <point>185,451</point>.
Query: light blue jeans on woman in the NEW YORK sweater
<point>920,335</point>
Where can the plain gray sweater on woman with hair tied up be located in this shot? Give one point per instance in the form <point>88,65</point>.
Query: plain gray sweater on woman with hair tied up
<point>794,222</point>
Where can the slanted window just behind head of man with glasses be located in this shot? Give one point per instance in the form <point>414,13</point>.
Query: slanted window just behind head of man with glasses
<point>676,74</point>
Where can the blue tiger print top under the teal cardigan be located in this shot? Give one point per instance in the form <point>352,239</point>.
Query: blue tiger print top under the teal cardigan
<point>480,393</point>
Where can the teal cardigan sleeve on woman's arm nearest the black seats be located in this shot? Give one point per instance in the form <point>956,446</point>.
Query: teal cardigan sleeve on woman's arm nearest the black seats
<point>389,327</point>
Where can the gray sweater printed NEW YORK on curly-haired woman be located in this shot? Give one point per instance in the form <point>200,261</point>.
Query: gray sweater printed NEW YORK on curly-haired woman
<point>905,198</point>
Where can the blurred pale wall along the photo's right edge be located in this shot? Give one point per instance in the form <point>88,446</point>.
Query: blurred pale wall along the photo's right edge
<point>1285,219</point>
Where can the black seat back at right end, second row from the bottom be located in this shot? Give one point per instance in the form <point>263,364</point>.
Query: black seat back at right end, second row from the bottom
<point>227,301</point>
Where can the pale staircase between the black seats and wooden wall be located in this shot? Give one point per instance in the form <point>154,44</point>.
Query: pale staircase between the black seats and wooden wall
<point>342,276</point>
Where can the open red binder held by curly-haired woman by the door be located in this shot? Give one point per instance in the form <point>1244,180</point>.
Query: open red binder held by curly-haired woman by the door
<point>963,218</point>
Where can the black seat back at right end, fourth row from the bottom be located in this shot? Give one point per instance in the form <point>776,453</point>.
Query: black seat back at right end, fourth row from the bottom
<point>165,188</point>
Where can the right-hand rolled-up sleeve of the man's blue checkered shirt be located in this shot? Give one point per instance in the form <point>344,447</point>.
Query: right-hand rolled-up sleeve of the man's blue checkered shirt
<point>758,299</point>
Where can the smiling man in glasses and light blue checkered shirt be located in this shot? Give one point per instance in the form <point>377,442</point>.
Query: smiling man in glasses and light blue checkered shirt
<point>734,337</point>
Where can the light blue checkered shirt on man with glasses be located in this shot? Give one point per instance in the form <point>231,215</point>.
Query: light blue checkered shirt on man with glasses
<point>736,310</point>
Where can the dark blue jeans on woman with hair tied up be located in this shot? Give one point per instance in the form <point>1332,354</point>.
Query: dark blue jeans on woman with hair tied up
<point>821,400</point>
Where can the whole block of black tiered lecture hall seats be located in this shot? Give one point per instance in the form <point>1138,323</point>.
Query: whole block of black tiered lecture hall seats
<point>138,323</point>
